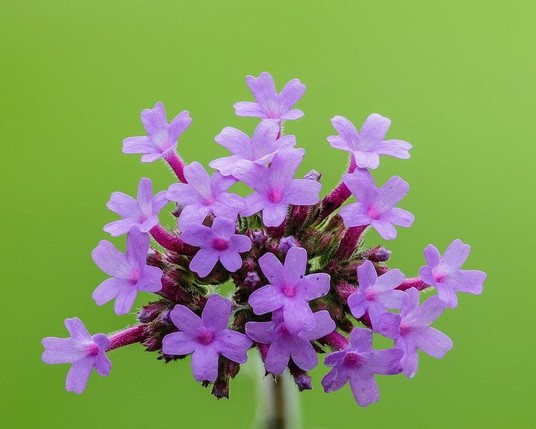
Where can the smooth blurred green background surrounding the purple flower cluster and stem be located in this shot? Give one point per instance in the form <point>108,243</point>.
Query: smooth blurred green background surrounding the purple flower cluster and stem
<point>458,80</point>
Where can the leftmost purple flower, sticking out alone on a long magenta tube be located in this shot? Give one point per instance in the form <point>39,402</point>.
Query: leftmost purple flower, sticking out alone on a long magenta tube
<point>82,350</point>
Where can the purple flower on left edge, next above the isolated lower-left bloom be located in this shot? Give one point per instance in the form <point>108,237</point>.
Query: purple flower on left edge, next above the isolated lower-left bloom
<point>130,272</point>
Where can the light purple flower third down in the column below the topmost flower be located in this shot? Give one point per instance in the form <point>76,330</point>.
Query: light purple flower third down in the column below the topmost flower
<point>275,187</point>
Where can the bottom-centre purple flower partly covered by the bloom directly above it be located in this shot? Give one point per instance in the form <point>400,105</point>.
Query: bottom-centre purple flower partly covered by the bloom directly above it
<point>285,345</point>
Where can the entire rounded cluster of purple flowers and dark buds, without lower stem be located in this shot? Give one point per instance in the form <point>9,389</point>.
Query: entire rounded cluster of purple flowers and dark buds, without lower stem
<point>304,283</point>
